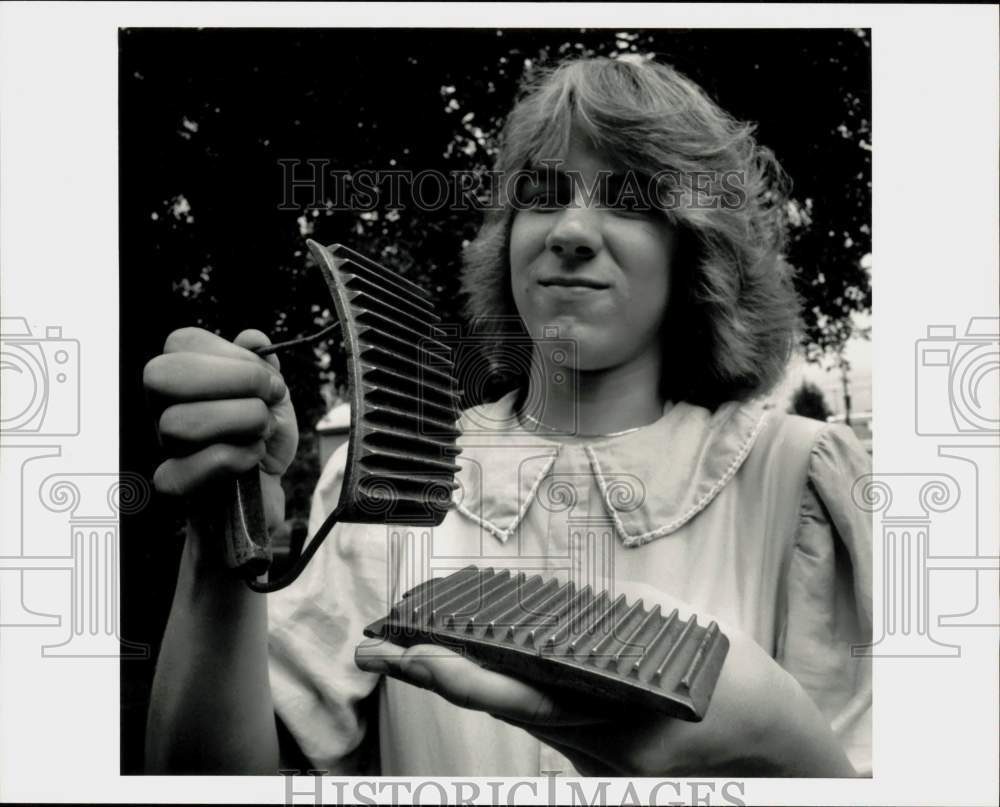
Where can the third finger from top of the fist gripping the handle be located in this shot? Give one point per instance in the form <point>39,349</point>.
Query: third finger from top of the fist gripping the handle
<point>186,427</point>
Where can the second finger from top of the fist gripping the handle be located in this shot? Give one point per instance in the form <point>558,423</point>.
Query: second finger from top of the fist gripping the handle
<point>199,377</point>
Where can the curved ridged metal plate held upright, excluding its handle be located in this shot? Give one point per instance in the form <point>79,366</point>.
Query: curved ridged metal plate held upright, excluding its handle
<point>404,401</point>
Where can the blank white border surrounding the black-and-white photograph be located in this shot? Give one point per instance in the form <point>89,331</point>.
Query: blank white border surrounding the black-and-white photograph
<point>935,170</point>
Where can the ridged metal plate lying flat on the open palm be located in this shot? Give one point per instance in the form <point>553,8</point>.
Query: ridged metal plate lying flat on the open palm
<point>583,641</point>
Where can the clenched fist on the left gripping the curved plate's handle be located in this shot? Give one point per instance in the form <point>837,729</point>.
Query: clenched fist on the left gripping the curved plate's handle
<point>222,410</point>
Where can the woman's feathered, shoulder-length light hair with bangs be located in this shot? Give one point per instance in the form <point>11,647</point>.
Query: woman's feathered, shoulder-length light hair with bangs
<point>730,324</point>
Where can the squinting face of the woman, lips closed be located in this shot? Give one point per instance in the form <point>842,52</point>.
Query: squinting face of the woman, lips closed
<point>597,271</point>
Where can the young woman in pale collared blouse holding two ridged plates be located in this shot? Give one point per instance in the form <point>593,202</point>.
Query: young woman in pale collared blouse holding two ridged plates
<point>640,248</point>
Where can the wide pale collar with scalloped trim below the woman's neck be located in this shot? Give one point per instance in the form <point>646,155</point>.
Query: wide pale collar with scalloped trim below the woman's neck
<point>682,461</point>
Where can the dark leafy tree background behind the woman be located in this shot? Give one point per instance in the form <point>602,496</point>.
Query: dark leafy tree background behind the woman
<point>205,115</point>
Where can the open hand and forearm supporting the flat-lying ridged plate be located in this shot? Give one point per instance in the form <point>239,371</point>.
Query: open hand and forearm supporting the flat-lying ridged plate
<point>759,723</point>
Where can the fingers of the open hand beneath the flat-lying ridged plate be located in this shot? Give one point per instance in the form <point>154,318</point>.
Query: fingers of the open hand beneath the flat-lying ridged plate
<point>468,685</point>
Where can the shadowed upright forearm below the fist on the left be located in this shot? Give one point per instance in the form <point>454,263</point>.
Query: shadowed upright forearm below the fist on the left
<point>211,709</point>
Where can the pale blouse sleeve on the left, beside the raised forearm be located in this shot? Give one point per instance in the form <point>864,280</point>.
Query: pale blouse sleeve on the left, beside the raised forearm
<point>314,626</point>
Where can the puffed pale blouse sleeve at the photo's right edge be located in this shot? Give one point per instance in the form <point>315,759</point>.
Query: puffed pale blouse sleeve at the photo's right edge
<point>829,594</point>
